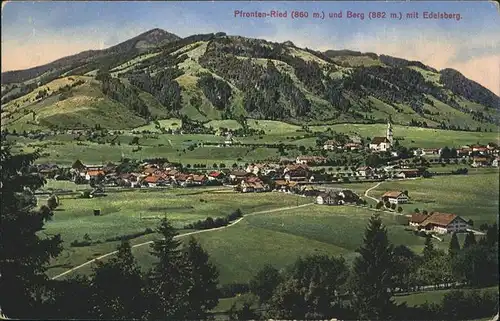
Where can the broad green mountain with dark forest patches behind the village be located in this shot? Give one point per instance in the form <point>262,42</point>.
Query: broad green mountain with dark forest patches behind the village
<point>216,76</point>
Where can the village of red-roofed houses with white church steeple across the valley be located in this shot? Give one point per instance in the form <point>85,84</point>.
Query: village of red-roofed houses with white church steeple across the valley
<point>305,176</point>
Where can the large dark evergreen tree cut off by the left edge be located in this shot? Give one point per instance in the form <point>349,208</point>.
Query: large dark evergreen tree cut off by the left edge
<point>25,252</point>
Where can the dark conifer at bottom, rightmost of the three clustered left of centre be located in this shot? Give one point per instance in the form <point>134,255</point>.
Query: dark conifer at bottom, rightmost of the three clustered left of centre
<point>203,276</point>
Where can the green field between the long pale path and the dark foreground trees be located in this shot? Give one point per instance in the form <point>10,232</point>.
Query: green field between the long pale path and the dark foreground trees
<point>238,251</point>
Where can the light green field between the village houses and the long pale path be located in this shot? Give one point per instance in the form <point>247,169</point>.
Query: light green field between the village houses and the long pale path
<point>130,212</point>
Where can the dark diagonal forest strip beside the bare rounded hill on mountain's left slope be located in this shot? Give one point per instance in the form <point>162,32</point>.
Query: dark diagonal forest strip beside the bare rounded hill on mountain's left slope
<point>127,96</point>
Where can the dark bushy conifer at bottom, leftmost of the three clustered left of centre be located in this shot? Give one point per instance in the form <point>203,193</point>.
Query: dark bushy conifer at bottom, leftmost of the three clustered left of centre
<point>117,287</point>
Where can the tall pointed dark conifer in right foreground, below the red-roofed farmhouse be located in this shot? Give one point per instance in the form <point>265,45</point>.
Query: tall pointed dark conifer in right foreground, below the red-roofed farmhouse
<point>372,273</point>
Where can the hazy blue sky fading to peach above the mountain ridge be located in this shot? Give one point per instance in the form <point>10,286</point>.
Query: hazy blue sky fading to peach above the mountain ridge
<point>35,33</point>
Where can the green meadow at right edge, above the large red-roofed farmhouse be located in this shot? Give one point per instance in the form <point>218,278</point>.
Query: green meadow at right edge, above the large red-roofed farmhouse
<point>474,196</point>
